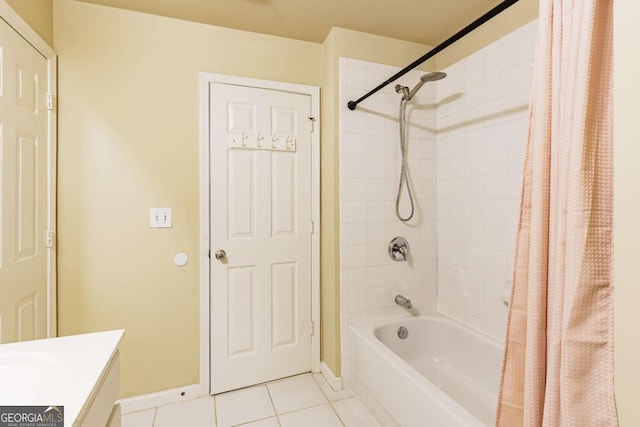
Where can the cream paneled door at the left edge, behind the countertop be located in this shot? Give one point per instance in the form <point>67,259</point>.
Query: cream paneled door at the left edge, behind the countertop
<point>23,189</point>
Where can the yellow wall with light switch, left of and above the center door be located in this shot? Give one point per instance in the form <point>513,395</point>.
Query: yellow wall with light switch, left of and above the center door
<point>128,141</point>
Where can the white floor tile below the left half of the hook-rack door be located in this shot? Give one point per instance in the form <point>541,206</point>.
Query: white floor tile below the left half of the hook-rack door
<point>243,406</point>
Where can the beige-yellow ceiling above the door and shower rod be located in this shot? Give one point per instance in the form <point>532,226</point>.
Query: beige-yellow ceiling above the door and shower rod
<point>422,21</point>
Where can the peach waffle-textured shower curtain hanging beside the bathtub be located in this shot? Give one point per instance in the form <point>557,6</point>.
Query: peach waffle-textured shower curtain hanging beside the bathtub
<point>558,365</point>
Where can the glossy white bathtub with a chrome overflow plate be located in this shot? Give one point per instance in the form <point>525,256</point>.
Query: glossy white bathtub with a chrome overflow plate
<point>442,374</point>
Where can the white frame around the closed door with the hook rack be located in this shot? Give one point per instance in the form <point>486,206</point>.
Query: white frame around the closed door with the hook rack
<point>205,167</point>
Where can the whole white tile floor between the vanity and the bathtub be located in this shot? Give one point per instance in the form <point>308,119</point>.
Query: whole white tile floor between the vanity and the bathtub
<point>301,401</point>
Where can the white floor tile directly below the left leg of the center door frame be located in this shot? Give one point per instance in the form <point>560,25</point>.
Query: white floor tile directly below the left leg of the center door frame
<point>197,413</point>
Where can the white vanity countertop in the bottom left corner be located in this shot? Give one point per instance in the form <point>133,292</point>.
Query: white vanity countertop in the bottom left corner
<point>57,371</point>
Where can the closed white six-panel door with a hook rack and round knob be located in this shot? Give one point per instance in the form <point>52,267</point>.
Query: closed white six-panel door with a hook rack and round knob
<point>260,145</point>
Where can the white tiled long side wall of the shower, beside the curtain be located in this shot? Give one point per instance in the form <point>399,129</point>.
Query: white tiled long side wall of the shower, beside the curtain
<point>482,131</point>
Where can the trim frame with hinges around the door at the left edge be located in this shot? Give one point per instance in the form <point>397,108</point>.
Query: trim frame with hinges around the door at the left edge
<point>15,21</point>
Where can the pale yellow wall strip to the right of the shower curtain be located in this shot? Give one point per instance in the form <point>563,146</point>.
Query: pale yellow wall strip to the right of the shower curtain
<point>627,211</point>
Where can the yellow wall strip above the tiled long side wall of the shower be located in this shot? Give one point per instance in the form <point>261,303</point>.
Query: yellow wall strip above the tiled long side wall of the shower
<point>508,21</point>
